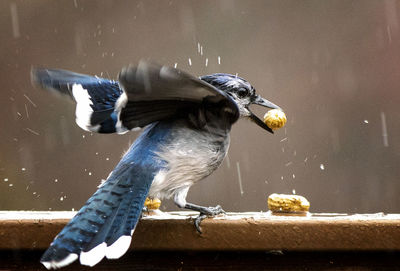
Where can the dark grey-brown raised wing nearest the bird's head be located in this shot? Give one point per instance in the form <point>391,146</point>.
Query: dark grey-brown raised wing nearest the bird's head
<point>153,92</point>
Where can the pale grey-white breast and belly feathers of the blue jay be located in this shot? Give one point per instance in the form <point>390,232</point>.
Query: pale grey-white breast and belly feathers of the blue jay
<point>191,157</point>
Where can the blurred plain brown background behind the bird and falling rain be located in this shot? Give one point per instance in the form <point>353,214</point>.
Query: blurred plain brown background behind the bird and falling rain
<point>332,65</point>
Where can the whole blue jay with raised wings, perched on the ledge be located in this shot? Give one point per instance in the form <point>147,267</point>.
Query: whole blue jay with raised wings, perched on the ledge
<point>186,123</point>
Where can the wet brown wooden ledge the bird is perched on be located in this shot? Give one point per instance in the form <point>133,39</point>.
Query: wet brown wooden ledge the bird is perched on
<point>233,231</point>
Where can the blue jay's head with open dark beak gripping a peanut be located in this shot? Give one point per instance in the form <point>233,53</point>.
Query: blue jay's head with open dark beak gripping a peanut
<point>242,93</point>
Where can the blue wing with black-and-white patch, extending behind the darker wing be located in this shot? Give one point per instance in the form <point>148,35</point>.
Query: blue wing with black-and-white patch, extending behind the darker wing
<point>95,97</point>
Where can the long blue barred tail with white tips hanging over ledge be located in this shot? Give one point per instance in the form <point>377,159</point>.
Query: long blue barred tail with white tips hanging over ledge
<point>103,227</point>
